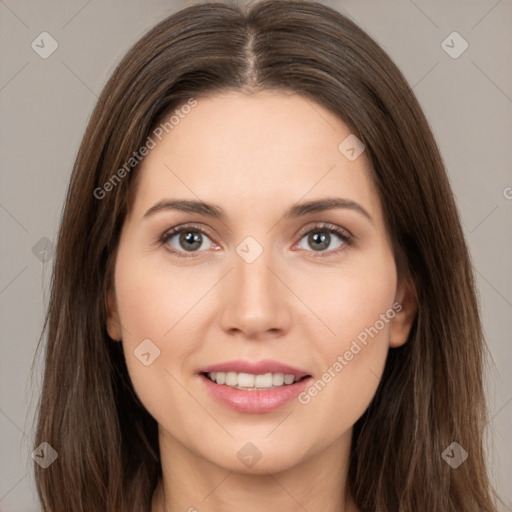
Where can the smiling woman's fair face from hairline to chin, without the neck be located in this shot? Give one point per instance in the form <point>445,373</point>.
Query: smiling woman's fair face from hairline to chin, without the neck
<point>262,284</point>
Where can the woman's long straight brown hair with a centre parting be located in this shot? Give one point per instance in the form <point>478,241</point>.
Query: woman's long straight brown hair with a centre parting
<point>431,393</point>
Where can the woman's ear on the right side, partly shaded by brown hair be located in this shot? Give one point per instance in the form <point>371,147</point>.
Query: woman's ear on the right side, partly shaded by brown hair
<point>405,307</point>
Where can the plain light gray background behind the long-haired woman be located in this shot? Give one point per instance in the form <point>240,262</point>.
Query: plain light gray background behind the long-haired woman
<point>45,105</point>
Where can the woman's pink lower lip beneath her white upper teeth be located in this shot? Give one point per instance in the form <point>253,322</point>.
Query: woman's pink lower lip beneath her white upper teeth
<point>255,401</point>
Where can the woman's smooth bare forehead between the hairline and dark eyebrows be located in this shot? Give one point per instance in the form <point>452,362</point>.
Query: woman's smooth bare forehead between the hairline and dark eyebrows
<point>253,149</point>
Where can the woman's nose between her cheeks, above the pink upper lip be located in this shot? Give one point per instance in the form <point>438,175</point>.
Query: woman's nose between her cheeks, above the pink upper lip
<point>256,304</point>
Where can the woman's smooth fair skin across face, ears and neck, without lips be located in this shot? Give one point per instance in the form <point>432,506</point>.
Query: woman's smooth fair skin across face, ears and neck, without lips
<point>254,155</point>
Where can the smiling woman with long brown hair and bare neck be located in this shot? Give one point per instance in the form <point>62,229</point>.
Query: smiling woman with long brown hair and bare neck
<point>261,287</point>
